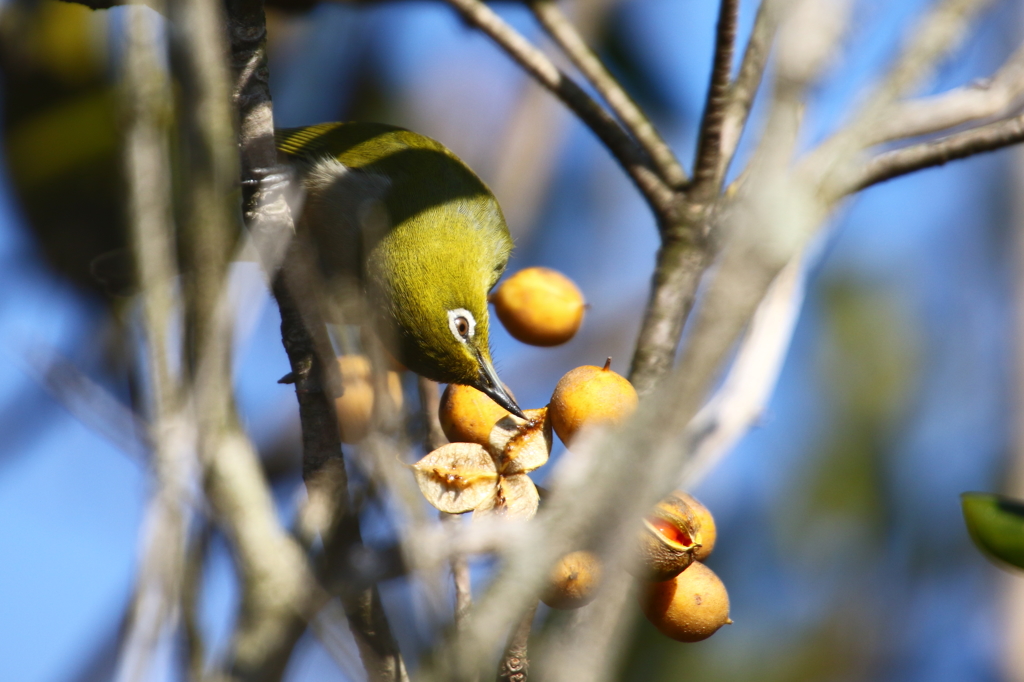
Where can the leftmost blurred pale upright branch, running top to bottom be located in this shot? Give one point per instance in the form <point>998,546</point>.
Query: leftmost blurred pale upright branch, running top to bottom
<point>147,100</point>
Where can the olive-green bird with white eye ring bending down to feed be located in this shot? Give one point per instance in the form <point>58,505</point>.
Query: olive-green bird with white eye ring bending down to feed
<point>399,222</point>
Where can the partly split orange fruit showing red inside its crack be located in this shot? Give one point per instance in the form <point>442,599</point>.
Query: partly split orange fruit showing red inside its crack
<point>669,541</point>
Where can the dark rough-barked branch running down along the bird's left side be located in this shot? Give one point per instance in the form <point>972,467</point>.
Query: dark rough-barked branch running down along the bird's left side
<point>309,349</point>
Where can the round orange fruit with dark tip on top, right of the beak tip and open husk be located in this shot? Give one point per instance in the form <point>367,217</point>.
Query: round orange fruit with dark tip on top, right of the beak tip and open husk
<point>590,396</point>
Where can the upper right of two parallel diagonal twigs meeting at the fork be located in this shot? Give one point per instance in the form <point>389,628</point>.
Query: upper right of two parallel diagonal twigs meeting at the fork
<point>636,122</point>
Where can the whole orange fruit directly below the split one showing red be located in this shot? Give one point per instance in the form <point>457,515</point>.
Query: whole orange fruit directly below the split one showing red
<point>690,608</point>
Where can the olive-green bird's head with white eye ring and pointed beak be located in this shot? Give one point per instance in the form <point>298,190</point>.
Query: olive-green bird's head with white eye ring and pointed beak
<point>430,280</point>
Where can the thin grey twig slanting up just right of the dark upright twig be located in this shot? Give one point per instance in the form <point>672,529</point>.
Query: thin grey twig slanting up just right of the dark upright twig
<point>744,91</point>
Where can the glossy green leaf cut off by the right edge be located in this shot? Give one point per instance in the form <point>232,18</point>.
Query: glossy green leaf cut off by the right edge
<point>997,526</point>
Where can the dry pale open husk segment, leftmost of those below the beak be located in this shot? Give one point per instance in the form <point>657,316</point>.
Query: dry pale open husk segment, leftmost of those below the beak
<point>458,478</point>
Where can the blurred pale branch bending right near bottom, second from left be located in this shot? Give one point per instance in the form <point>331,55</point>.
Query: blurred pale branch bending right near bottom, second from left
<point>276,578</point>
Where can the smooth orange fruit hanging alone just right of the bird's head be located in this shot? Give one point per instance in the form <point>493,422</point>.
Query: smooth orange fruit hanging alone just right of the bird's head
<point>540,307</point>
